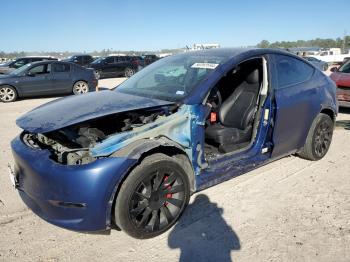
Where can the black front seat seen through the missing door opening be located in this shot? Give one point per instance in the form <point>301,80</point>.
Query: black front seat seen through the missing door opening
<point>236,115</point>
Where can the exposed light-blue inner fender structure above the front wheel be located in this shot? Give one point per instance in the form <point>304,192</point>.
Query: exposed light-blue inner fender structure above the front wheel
<point>179,130</point>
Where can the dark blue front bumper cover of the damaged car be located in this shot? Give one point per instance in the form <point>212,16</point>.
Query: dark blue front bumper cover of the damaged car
<point>74,197</point>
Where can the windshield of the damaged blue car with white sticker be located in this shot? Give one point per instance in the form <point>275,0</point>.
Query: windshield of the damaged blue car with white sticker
<point>172,78</point>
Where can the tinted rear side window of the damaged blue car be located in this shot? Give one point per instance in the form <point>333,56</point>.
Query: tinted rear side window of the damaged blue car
<point>291,71</point>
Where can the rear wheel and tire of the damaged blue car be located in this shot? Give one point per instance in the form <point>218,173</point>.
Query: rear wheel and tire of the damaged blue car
<point>319,138</point>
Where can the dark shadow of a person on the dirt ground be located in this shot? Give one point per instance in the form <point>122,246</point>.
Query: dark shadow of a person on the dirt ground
<point>202,234</point>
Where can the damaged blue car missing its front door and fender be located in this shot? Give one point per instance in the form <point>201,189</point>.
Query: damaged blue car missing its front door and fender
<point>132,156</point>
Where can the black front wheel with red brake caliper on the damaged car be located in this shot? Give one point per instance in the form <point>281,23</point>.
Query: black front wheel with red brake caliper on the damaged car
<point>153,197</point>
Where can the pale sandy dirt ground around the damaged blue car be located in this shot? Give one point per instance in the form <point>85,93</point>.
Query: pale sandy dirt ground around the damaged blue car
<point>289,210</point>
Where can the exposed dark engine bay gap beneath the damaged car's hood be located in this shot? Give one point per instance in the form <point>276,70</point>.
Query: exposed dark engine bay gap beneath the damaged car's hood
<point>71,145</point>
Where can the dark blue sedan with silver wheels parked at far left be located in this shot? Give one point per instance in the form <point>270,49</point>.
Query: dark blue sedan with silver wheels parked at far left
<point>46,78</point>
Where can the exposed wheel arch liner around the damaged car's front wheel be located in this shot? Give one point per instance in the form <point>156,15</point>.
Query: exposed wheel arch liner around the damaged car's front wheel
<point>141,149</point>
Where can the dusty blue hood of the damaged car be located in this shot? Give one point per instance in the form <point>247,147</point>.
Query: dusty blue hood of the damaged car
<point>76,109</point>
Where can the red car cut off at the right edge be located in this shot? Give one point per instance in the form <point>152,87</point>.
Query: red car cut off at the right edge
<point>341,76</point>
